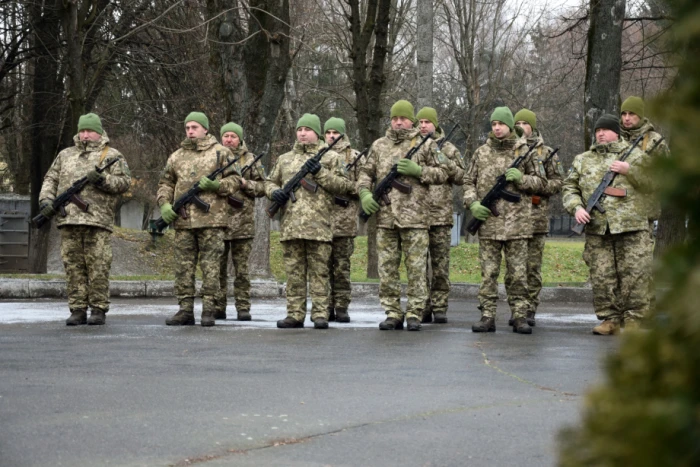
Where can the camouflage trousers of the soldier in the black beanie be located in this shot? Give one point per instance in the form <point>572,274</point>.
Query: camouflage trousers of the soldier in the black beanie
<point>620,266</point>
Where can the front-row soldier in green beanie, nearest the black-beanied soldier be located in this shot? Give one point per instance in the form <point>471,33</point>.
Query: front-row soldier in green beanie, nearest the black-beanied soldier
<point>509,232</point>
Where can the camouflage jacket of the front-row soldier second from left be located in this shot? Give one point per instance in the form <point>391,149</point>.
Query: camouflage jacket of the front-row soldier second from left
<point>184,168</point>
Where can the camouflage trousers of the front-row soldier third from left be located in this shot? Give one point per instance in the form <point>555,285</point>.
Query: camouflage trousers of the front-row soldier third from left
<point>307,259</point>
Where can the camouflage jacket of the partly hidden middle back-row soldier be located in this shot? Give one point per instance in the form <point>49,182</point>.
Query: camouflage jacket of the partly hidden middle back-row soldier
<point>440,196</point>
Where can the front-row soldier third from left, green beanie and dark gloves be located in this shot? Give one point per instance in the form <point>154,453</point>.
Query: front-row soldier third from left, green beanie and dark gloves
<point>306,233</point>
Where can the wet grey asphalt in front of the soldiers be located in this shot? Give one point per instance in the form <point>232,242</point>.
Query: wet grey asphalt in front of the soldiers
<point>136,392</point>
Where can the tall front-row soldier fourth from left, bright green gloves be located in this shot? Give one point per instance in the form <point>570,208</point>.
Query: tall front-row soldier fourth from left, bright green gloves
<point>402,225</point>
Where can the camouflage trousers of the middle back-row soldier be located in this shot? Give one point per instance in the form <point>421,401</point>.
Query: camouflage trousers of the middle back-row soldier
<point>440,237</point>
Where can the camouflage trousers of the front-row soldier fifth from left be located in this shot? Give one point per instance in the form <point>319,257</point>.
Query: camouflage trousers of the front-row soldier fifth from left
<point>515,252</point>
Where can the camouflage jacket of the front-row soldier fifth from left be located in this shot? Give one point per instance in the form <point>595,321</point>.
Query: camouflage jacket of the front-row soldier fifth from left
<point>487,163</point>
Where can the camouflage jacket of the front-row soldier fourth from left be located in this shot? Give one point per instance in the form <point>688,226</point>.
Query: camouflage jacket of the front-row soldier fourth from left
<point>406,210</point>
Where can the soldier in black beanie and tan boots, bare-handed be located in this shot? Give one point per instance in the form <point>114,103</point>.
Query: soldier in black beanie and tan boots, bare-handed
<point>617,248</point>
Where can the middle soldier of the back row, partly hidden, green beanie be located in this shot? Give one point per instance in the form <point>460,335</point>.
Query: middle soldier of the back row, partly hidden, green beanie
<point>440,219</point>
